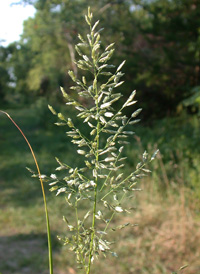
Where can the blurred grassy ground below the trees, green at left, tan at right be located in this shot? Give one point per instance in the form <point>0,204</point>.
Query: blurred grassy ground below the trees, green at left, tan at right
<point>166,234</point>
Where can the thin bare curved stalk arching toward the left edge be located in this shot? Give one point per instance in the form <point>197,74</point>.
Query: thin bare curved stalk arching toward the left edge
<point>43,194</point>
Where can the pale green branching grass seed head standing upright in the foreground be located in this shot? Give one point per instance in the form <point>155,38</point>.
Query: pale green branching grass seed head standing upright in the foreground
<point>99,182</point>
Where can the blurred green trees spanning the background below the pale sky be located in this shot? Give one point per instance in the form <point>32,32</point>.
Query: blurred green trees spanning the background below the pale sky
<point>160,40</point>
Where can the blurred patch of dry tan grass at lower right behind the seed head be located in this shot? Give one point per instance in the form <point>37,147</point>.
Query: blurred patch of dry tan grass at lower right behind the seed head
<point>166,238</point>
